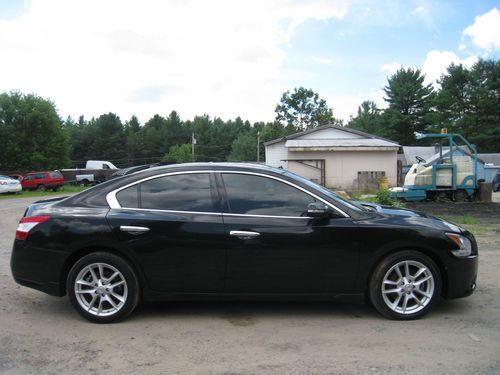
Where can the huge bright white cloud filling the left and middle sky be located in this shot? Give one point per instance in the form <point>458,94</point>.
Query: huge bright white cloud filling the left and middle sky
<point>222,57</point>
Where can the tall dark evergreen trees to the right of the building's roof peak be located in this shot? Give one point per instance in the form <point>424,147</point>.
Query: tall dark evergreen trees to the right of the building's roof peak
<point>467,102</point>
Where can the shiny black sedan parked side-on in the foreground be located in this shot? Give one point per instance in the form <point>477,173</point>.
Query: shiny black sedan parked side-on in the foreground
<point>236,231</point>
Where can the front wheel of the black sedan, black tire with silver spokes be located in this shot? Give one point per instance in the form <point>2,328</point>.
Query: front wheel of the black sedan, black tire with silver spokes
<point>383,293</point>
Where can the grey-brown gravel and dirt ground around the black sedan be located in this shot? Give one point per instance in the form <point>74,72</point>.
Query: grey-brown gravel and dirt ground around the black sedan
<point>40,334</point>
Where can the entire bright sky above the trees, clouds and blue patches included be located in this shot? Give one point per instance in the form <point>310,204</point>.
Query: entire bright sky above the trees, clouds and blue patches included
<point>231,58</point>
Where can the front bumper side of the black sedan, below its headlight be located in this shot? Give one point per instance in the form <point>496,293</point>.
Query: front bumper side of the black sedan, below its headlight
<point>461,277</point>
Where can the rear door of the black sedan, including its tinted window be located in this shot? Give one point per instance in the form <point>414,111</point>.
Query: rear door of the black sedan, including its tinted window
<point>173,226</point>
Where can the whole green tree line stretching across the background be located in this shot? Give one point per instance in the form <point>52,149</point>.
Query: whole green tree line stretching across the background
<point>34,137</point>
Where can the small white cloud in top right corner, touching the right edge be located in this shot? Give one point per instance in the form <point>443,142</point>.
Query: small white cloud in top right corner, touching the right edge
<point>485,31</point>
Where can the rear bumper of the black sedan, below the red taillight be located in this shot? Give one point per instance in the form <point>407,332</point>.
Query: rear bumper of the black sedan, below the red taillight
<point>37,268</point>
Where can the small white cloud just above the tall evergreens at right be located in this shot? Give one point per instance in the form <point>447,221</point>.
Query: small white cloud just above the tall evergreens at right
<point>437,62</point>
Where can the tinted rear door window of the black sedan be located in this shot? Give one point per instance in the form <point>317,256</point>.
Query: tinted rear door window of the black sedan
<point>185,192</point>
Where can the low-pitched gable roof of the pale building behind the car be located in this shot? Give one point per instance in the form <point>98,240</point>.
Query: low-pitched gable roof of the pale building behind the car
<point>357,137</point>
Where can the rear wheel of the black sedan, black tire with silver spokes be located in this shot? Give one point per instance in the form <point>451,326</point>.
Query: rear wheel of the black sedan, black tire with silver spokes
<point>128,290</point>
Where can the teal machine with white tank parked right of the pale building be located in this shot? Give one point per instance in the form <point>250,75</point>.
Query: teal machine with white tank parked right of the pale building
<point>450,174</point>
